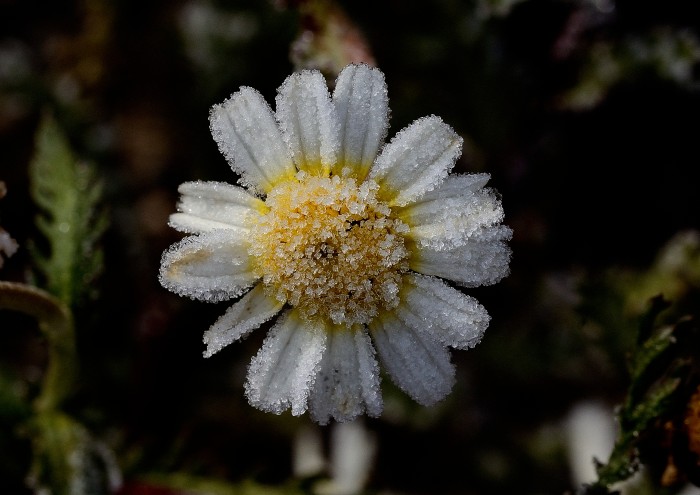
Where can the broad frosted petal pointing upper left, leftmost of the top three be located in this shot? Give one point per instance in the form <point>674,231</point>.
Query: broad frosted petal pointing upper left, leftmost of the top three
<point>245,129</point>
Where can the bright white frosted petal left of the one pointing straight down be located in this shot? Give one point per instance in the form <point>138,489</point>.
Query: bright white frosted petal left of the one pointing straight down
<point>283,371</point>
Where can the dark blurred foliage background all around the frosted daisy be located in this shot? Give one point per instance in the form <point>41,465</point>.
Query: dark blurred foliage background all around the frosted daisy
<point>584,112</point>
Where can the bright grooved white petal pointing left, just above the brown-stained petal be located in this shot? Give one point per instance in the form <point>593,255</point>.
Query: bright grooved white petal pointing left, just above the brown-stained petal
<point>207,206</point>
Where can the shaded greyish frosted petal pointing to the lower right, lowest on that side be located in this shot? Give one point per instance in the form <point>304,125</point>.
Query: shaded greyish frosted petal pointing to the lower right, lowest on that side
<point>418,364</point>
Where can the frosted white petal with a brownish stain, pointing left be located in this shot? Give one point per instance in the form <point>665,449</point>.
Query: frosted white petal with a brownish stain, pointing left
<point>213,266</point>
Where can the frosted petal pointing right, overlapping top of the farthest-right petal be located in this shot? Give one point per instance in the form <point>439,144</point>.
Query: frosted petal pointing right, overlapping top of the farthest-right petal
<point>452,213</point>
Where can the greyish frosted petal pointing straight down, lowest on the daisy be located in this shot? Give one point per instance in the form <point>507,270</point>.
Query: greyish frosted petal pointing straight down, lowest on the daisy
<point>348,383</point>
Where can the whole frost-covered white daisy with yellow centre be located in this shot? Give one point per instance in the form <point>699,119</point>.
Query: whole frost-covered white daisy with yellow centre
<point>344,236</point>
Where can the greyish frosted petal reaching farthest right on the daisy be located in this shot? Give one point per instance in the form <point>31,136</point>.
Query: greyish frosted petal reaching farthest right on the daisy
<point>482,260</point>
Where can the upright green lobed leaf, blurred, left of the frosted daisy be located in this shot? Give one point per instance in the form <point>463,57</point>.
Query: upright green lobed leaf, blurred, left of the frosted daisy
<point>68,193</point>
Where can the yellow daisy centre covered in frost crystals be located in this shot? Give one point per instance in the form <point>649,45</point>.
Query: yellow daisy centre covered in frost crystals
<point>330,248</point>
